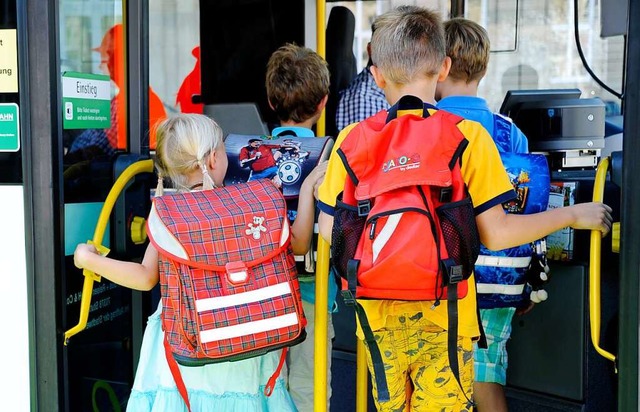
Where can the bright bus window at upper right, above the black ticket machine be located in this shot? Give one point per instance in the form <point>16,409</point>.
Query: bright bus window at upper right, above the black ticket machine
<point>547,29</point>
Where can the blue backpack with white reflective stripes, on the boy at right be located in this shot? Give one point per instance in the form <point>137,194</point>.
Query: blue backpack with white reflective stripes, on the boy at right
<point>504,278</point>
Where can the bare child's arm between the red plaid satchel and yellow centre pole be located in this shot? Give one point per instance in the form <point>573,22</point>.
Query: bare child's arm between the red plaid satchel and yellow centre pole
<point>302,228</point>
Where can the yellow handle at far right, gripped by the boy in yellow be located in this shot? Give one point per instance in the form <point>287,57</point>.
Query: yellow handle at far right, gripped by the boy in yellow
<point>594,265</point>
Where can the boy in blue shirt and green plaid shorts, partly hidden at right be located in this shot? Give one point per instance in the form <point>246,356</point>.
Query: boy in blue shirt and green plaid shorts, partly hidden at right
<point>467,44</point>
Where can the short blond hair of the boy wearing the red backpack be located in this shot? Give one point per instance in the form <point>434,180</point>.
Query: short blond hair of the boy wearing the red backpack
<point>408,42</point>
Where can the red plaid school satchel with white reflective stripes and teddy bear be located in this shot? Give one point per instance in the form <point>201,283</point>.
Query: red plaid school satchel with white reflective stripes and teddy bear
<point>227,274</point>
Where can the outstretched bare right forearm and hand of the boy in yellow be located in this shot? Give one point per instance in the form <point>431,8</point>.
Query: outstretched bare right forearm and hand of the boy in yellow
<point>499,230</point>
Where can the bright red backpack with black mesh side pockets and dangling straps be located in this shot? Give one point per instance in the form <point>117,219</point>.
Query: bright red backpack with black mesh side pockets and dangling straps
<point>404,228</point>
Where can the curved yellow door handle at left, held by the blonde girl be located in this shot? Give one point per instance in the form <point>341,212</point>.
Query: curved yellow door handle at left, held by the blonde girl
<point>143,166</point>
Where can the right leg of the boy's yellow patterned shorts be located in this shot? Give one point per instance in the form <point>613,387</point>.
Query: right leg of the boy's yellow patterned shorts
<point>435,387</point>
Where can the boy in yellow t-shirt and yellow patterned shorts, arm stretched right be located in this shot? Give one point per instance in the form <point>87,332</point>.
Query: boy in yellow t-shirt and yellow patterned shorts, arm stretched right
<point>409,55</point>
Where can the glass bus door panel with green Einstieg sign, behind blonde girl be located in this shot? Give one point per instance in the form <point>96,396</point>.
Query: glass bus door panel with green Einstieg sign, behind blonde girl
<point>104,129</point>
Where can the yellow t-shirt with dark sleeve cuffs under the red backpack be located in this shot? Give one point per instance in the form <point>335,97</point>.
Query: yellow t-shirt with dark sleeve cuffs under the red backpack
<point>488,185</point>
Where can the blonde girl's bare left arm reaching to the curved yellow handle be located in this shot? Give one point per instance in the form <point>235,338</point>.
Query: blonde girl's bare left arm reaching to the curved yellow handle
<point>138,276</point>
